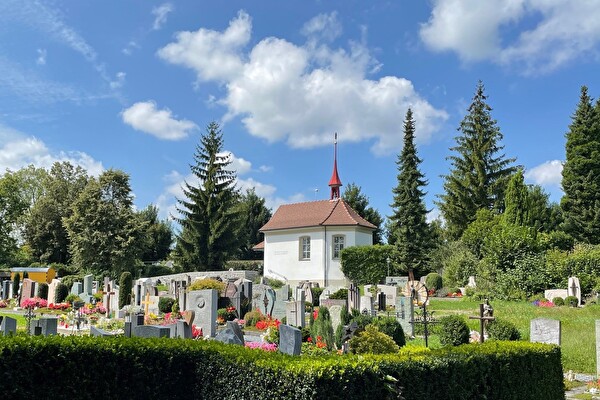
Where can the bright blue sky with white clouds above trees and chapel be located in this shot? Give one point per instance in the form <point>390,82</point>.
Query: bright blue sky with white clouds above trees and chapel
<point>132,85</point>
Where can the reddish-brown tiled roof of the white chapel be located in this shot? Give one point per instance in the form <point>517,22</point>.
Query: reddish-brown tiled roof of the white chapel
<point>315,213</point>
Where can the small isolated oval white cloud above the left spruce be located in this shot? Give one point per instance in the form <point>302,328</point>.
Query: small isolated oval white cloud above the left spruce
<point>145,117</point>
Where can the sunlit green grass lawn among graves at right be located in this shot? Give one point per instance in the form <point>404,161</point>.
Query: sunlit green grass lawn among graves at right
<point>577,324</point>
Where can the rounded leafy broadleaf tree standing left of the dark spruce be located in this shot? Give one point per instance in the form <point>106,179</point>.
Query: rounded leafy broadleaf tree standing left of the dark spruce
<point>106,234</point>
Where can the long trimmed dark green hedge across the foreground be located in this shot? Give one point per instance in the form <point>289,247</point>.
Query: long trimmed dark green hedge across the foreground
<point>120,368</point>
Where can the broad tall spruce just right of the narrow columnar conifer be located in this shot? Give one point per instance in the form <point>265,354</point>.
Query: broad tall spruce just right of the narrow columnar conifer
<point>479,172</point>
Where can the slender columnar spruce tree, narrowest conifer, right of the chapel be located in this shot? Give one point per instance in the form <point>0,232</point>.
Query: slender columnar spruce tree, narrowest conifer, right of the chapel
<point>408,222</point>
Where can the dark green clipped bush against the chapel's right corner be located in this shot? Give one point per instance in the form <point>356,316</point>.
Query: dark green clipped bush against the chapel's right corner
<point>367,264</point>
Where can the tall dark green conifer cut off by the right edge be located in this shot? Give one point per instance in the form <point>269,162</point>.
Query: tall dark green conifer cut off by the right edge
<point>581,173</point>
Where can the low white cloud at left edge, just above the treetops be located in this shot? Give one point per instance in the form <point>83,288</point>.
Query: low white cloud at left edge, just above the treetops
<point>18,150</point>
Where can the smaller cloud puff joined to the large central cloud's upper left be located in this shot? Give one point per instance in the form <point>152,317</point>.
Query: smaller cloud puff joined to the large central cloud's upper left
<point>213,55</point>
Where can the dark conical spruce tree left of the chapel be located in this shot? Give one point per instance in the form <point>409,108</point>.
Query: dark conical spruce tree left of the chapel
<point>209,215</point>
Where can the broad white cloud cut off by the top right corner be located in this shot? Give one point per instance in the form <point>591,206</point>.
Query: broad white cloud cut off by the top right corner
<point>562,31</point>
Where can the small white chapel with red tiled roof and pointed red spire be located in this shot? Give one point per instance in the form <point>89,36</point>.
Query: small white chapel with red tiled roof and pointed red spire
<point>303,241</point>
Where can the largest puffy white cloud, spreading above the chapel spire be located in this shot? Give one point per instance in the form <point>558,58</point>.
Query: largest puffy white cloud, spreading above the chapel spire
<point>303,93</point>
